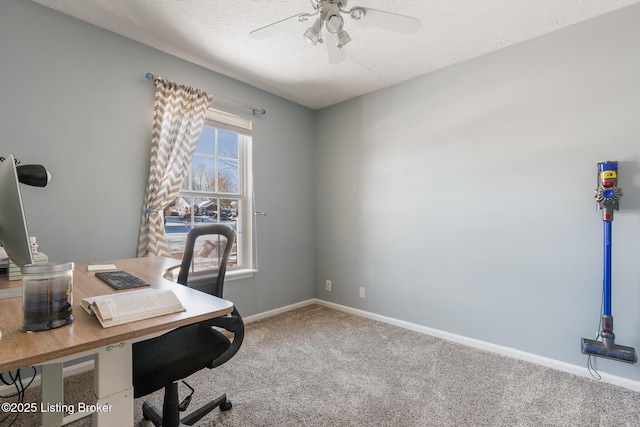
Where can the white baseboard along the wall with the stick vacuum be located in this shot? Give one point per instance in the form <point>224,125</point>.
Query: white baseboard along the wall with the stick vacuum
<point>494,348</point>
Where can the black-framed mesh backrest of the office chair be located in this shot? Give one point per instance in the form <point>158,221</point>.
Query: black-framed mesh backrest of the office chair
<point>206,254</point>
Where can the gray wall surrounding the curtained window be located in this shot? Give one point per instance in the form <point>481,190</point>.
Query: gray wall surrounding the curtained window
<point>75,98</point>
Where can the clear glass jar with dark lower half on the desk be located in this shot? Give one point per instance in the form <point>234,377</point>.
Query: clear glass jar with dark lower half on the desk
<point>47,296</point>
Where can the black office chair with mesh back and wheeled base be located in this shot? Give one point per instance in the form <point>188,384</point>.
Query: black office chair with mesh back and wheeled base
<point>163,361</point>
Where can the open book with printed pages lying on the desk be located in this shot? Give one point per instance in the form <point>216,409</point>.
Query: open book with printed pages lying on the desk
<point>117,309</point>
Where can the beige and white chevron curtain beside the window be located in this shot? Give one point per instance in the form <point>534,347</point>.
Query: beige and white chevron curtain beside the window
<point>178,118</point>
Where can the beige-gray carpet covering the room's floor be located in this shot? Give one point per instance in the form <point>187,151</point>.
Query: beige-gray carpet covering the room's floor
<point>316,366</point>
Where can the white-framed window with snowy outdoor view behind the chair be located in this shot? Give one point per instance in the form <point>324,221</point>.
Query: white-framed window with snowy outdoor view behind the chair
<point>218,187</point>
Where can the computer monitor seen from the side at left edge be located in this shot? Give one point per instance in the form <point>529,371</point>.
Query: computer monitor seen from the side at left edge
<point>13,225</point>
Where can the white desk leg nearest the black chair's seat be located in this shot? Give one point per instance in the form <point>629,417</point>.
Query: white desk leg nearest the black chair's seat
<point>113,386</point>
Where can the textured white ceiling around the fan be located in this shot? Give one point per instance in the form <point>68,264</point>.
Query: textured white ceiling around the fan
<point>215,35</point>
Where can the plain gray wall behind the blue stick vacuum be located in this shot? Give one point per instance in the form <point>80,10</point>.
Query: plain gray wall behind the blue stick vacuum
<point>462,200</point>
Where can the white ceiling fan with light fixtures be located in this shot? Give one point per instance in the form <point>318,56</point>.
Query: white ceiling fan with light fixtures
<point>330,20</point>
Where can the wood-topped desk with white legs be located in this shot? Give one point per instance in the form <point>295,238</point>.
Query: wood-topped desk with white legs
<point>111,347</point>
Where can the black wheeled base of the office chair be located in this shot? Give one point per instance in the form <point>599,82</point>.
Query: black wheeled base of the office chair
<point>170,416</point>
